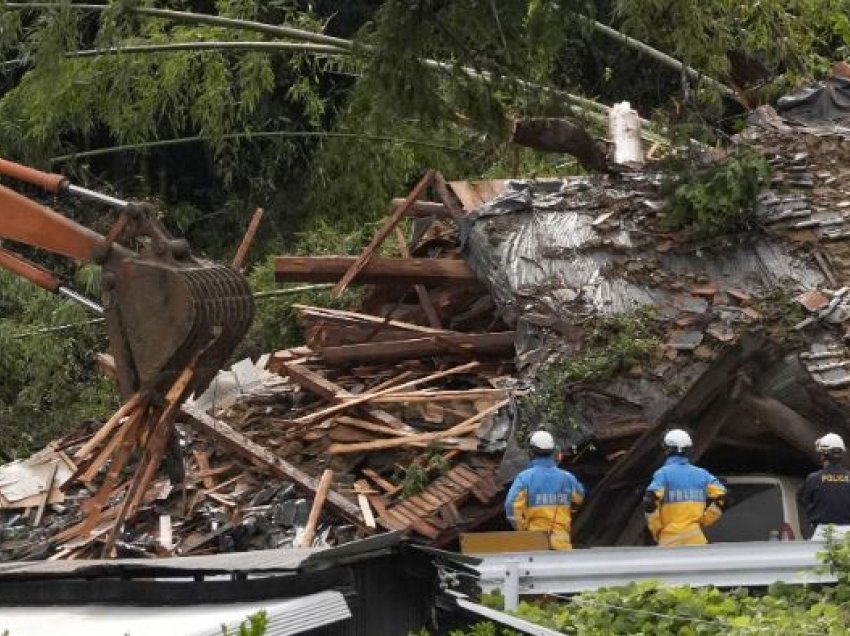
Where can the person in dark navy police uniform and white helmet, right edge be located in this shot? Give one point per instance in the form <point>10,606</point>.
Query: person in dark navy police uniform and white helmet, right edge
<point>826,493</point>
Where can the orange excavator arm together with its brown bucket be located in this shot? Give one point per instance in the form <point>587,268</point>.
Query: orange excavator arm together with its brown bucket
<point>163,307</point>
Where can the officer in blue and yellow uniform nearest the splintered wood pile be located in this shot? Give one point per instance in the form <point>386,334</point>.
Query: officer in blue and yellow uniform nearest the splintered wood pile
<point>543,496</point>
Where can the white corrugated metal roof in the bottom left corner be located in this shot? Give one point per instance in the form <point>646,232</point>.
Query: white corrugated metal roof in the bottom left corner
<point>294,616</point>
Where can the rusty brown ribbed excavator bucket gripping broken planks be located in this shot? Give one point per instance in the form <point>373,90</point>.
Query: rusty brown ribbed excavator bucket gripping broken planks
<point>161,316</point>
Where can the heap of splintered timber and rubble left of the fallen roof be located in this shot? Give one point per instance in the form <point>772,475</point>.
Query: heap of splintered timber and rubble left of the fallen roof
<point>378,423</point>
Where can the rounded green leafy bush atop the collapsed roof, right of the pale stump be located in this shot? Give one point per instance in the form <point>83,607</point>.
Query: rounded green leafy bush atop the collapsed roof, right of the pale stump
<point>720,198</point>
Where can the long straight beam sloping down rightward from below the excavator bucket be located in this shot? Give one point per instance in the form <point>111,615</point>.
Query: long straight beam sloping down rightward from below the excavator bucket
<point>253,452</point>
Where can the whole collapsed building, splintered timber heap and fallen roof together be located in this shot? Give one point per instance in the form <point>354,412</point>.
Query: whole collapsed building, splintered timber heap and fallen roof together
<point>504,310</point>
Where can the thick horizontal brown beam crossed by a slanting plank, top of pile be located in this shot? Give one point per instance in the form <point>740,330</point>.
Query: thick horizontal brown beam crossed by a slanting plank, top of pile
<point>379,270</point>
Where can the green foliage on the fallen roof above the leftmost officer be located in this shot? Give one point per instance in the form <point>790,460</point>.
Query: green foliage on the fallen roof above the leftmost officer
<point>612,345</point>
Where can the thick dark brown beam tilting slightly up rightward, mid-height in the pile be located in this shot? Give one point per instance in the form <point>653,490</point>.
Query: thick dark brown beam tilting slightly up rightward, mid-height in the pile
<point>474,345</point>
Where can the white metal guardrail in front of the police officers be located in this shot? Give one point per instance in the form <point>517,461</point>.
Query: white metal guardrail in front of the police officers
<point>757,563</point>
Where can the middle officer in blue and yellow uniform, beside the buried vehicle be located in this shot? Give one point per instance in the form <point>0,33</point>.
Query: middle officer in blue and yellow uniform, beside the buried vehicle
<point>682,499</point>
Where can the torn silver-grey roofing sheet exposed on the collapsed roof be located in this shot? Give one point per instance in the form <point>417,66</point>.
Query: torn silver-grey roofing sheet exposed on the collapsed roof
<point>580,240</point>
